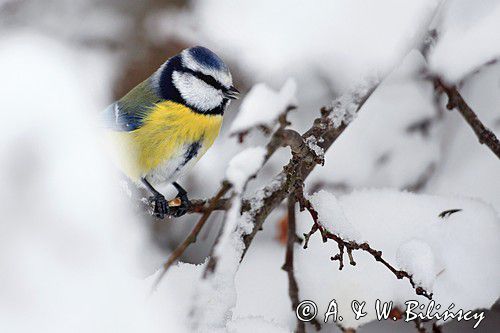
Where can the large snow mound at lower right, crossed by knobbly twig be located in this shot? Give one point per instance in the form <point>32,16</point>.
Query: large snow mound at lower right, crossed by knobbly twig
<point>440,252</point>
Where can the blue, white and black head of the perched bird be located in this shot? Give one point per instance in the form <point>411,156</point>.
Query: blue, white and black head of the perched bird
<point>198,78</point>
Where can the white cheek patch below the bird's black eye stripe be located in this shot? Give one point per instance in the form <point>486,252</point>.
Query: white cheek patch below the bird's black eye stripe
<point>195,92</point>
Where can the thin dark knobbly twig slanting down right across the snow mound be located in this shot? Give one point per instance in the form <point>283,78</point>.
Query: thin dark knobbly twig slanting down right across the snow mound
<point>351,246</point>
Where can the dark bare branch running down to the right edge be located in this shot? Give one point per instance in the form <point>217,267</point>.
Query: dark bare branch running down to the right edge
<point>456,101</point>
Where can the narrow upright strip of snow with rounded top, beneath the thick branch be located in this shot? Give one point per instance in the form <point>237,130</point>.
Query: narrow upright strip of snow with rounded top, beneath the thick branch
<point>217,293</point>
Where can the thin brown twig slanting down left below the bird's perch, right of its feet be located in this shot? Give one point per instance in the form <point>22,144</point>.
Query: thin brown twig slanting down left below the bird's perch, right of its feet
<point>191,238</point>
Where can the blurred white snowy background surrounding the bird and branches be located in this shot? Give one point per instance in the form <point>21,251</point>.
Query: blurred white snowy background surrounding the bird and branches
<point>75,254</point>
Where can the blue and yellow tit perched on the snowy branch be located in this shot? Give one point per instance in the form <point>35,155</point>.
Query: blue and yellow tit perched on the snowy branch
<point>164,125</point>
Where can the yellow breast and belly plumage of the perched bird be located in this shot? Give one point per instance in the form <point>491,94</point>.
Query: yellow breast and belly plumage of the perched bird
<point>166,131</point>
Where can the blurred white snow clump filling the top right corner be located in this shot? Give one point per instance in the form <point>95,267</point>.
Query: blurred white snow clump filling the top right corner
<point>468,39</point>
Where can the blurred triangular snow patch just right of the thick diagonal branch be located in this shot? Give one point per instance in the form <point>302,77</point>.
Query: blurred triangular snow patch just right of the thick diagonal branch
<point>377,149</point>
